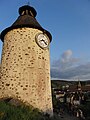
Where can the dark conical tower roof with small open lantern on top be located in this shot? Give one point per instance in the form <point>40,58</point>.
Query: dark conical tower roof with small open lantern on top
<point>26,19</point>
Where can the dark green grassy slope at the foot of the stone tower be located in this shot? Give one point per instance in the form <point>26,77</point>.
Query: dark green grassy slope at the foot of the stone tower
<point>21,112</point>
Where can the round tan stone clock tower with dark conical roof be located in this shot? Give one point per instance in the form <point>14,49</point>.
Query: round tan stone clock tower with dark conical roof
<point>25,64</point>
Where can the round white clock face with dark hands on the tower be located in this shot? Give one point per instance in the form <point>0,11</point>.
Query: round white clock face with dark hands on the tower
<point>42,40</point>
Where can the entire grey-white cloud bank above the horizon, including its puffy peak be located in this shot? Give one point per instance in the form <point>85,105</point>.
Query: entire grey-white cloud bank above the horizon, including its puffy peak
<point>68,67</point>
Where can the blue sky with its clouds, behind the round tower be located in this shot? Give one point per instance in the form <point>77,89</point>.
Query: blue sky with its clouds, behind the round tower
<point>69,23</point>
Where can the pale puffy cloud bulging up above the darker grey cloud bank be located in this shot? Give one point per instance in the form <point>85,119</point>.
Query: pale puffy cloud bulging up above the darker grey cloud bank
<point>65,62</point>
